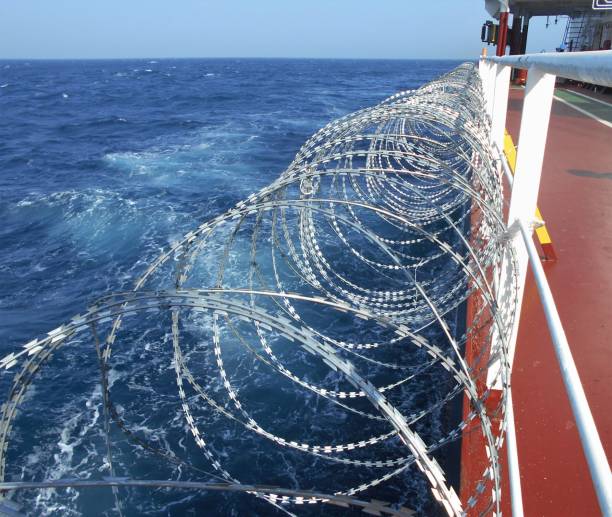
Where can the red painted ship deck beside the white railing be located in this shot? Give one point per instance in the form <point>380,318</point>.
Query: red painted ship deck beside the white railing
<point>576,203</point>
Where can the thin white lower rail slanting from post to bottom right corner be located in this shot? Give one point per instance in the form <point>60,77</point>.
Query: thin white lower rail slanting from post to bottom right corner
<point>589,437</point>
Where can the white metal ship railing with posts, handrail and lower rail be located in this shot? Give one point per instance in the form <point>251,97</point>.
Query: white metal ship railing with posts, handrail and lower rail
<point>592,67</point>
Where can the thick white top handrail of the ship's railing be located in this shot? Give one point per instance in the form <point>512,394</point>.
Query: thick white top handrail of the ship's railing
<point>590,67</point>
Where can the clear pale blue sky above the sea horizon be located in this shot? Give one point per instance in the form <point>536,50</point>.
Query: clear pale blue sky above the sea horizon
<point>64,29</point>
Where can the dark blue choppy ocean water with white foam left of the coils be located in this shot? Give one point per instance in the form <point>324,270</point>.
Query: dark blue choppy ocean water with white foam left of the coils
<point>103,164</point>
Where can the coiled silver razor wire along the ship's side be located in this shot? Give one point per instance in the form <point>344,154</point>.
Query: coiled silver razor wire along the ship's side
<point>388,222</point>
